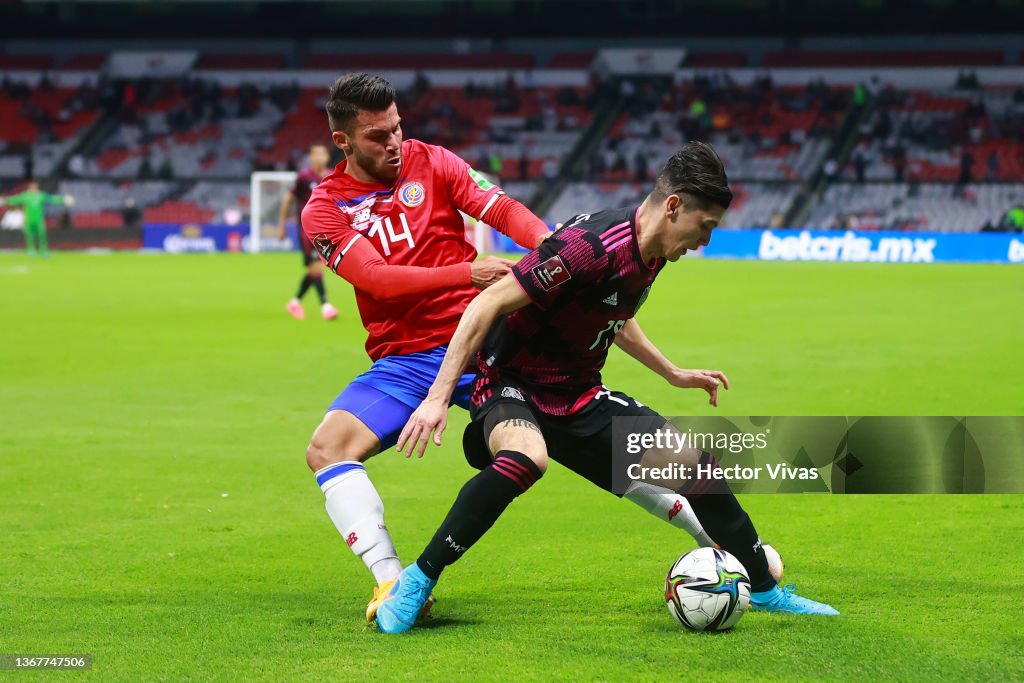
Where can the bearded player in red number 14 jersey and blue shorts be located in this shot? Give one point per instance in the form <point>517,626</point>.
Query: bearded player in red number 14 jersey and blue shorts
<point>388,220</point>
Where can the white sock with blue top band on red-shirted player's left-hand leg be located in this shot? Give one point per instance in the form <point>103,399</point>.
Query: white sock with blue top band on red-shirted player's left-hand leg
<point>358,513</point>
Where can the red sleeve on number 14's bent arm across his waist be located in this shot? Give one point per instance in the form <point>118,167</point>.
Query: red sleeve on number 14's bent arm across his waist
<point>350,254</point>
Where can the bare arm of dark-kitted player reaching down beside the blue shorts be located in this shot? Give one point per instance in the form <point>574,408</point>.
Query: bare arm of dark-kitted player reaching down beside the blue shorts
<point>432,416</point>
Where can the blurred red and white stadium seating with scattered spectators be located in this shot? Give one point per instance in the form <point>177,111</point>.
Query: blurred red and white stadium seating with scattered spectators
<point>182,150</point>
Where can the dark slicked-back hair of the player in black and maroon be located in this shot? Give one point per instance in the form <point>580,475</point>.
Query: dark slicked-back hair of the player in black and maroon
<point>697,175</point>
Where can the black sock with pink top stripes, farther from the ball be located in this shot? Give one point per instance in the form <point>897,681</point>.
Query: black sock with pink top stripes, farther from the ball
<point>480,504</point>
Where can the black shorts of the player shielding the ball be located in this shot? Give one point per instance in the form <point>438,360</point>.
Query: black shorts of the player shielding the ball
<point>582,442</point>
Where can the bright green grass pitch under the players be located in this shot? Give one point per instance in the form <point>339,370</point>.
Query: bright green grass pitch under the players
<point>156,509</point>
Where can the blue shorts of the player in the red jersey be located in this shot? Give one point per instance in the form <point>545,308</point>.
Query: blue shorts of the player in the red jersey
<point>385,397</point>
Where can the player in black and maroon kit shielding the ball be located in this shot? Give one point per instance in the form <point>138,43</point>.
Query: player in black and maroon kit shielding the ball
<point>543,335</point>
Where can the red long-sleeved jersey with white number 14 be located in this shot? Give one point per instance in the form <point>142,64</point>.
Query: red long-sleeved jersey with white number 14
<point>414,230</point>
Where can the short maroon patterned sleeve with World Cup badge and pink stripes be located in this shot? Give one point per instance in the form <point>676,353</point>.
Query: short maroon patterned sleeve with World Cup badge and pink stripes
<point>570,261</point>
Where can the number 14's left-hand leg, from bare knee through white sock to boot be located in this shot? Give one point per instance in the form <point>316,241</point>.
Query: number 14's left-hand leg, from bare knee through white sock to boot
<point>336,453</point>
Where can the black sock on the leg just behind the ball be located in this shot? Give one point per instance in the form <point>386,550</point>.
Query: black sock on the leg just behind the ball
<point>726,522</point>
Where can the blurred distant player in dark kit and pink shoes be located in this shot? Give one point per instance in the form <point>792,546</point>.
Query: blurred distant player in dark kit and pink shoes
<point>306,182</point>
